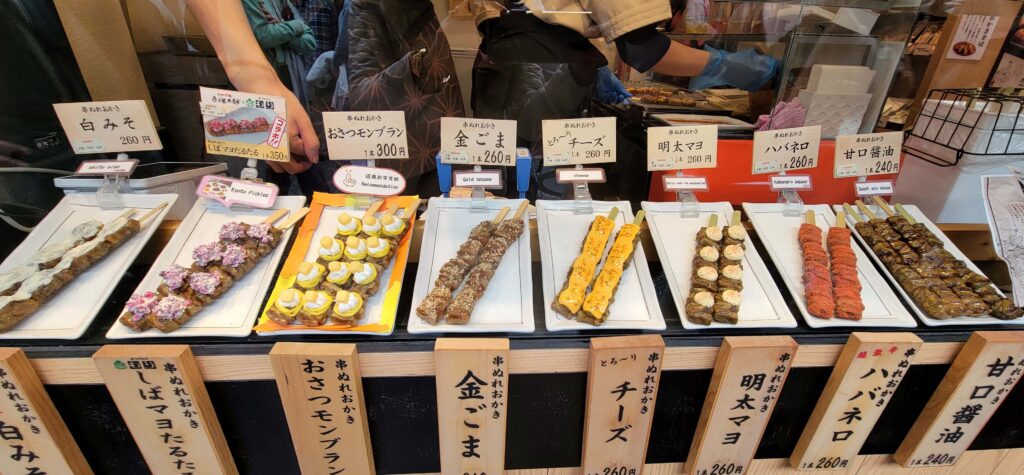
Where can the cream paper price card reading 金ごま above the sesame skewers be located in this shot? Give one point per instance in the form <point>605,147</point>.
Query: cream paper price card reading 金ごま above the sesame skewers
<point>478,142</point>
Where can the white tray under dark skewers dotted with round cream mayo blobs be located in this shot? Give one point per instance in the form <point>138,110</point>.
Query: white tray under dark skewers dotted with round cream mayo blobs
<point>675,238</point>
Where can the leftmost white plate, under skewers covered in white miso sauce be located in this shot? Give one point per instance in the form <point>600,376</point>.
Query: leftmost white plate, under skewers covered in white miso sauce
<point>69,314</point>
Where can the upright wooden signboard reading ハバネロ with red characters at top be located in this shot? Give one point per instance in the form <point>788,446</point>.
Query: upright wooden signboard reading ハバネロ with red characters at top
<point>868,373</point>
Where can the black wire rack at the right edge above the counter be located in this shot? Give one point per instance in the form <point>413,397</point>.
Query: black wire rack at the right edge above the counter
<point>955,123</point>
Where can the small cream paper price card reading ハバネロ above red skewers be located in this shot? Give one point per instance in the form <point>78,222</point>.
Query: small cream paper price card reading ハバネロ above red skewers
<point>779,151</point>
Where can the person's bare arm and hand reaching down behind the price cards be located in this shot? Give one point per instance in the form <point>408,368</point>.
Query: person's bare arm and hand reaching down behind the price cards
<point>226,25</point>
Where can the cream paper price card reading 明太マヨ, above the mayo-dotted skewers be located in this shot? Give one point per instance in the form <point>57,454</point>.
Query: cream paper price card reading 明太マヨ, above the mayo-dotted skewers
<point>682,148</point>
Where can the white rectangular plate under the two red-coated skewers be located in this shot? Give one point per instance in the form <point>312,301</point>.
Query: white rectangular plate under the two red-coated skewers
<point>779,234</point>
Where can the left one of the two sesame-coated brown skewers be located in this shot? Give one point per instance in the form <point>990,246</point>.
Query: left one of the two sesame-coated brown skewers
<point>435,306</point>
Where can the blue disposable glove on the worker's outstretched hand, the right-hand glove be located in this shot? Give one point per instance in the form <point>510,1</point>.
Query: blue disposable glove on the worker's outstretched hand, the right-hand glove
<point>746,70</point>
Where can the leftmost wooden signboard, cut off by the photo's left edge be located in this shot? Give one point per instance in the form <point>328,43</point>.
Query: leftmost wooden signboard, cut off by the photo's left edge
<point>33,438</point>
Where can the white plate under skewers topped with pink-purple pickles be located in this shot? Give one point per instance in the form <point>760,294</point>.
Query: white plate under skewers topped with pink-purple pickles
<point>232,315</point>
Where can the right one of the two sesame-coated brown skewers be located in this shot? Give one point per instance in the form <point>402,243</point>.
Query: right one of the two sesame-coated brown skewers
<point>505,236</point>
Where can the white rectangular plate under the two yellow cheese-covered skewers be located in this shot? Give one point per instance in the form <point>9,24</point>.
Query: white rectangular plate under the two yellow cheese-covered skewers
<point>562,233</point>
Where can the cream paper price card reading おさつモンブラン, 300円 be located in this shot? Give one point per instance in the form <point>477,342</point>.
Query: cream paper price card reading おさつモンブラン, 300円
<point>366,136</point>
